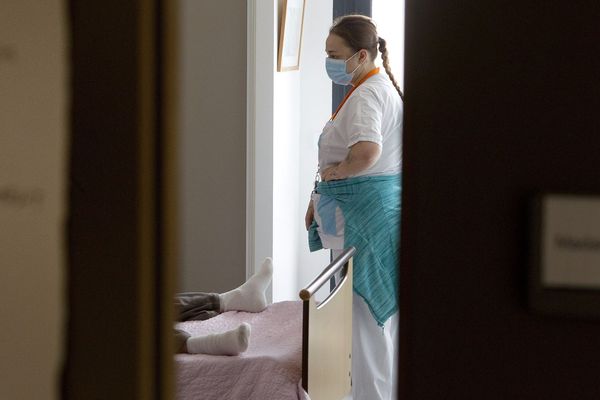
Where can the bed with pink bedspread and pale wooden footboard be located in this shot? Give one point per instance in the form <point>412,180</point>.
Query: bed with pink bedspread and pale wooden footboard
<point>298,350</point>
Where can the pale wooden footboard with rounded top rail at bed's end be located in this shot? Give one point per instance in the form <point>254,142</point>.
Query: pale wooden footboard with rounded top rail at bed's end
<point>327,333</point>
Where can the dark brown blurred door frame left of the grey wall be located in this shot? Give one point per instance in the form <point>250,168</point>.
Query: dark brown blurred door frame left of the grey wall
<point>120,264</point>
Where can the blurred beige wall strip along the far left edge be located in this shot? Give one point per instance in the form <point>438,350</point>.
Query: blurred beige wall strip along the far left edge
<point>33,156</point>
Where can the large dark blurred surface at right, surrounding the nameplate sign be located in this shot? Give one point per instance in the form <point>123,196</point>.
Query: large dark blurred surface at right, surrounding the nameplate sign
<point>502,102</point>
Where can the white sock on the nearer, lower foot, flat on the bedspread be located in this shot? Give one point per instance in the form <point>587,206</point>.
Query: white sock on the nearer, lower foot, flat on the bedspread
<point>230,343</point>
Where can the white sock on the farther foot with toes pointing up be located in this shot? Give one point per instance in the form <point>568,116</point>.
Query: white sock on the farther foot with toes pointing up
<point>251,295</point>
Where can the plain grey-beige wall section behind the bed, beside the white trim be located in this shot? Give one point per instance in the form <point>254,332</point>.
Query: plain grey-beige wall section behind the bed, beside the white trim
<point>212,80</point>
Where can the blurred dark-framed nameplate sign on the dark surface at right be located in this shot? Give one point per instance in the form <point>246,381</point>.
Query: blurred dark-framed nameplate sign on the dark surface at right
<point>565,255</point>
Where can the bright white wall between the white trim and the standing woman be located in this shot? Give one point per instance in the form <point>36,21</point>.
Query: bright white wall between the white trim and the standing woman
<point>302,106</point>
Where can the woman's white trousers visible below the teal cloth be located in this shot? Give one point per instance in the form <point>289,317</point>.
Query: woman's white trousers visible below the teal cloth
<point>374,353</point>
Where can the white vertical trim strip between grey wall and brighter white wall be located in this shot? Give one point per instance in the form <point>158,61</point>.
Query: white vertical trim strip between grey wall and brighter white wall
<point>261,40</point>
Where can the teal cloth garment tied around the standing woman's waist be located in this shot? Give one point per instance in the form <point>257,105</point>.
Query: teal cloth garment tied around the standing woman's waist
<point>371,209</point>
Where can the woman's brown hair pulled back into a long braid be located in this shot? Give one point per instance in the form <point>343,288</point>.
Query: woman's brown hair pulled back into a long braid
<point>360,32</point>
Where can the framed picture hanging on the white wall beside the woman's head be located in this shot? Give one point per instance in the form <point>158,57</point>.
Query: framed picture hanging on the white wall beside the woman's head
<point>290,35</point>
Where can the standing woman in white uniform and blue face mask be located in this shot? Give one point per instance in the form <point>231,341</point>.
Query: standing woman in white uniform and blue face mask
<point>357,201</point>
